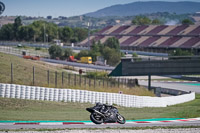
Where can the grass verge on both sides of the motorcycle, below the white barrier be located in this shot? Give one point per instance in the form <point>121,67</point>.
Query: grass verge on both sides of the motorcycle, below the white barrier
<point>16,109</point>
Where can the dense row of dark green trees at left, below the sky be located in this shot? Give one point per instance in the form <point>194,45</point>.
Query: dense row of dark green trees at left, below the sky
<point>41,31</point>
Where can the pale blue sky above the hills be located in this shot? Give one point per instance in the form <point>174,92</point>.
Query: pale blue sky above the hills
<point>58,8</point>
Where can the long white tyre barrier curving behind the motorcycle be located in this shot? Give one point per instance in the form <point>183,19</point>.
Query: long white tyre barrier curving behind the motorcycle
<point>83,96</point>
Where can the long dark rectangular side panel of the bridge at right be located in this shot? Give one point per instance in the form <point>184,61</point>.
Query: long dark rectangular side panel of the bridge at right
<point>160,67</point>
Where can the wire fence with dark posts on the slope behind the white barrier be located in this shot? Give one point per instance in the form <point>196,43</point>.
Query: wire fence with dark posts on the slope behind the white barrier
<point>59,79</point>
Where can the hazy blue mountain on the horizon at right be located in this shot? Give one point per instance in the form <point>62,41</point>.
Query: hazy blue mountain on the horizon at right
<point>137,8</point>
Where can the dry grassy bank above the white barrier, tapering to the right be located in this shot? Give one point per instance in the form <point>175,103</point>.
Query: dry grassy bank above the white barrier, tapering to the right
<point>23,75</point>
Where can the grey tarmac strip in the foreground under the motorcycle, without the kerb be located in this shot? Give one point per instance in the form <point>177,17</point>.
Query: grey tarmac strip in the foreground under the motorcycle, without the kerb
<point>103,126</point>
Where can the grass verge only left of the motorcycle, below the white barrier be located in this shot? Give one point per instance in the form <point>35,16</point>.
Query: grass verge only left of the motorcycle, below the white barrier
<point>15,109</point>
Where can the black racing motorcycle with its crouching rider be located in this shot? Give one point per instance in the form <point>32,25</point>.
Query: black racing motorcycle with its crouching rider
<point>102,113</point>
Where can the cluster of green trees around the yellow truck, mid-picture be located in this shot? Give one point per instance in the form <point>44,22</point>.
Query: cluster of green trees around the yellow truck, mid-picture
<point>110,51</point>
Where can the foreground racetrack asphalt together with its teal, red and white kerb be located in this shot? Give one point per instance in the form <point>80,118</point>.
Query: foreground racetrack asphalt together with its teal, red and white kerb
<point>161,122</point>
